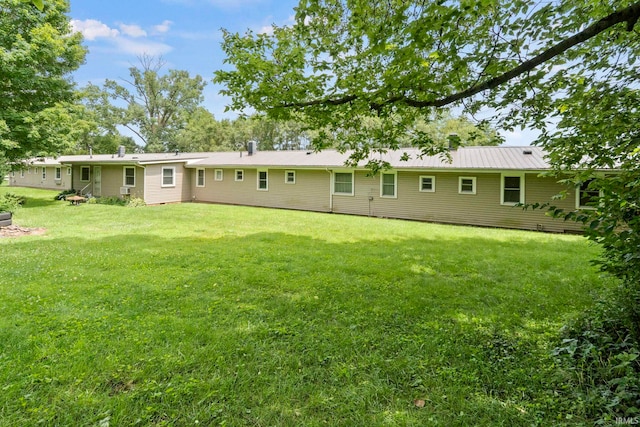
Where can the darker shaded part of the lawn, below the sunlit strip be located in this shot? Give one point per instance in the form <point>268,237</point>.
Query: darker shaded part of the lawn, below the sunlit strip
<point>299,330</point>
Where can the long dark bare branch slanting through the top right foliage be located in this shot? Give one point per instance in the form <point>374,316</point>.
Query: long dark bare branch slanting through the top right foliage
<point>628,15</point>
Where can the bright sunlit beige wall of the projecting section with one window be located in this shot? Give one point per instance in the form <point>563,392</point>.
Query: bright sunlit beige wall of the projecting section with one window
<point>155,193</point>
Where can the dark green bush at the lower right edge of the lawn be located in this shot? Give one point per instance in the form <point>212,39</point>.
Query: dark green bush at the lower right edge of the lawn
<point>600,356</point>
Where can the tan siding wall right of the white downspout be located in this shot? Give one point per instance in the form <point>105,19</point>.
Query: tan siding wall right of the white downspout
<point>446,205</point>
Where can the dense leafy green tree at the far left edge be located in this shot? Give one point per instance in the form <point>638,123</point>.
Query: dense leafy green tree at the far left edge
<point>38,52</point>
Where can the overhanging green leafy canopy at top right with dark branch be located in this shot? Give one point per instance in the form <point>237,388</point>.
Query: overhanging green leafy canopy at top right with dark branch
<point>346,60</point>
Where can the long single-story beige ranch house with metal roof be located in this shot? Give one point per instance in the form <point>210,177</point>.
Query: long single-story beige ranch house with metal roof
<point>479,186</point>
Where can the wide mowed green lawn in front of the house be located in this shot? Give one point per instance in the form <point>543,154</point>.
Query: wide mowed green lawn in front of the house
<point>200,314</point>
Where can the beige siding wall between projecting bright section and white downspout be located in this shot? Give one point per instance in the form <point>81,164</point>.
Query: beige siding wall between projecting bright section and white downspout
<point>311,190</point>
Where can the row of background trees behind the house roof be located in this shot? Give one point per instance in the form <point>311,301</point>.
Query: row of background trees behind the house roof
<point>164,112</point>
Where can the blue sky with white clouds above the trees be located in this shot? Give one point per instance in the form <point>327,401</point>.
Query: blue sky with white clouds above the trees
<point>186,33</point>
